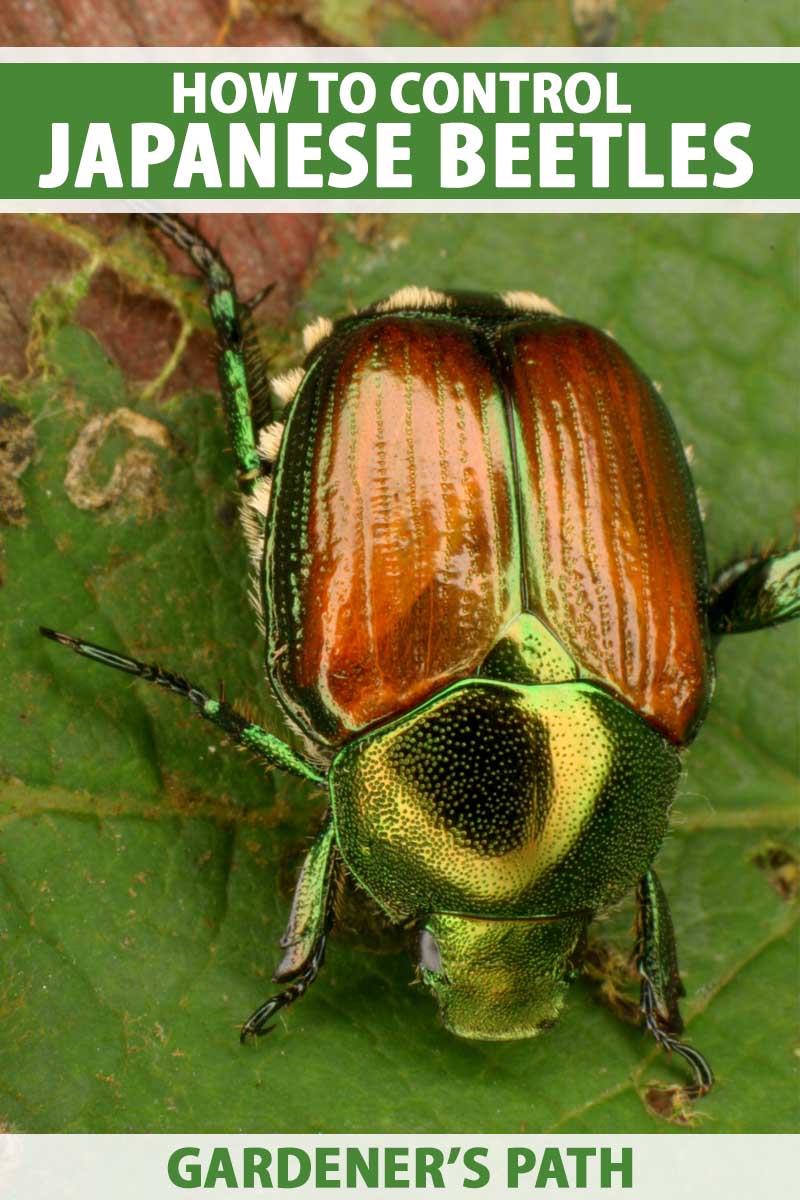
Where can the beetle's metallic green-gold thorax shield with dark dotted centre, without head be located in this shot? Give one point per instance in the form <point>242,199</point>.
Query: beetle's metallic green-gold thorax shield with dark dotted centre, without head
<point>497,800</point>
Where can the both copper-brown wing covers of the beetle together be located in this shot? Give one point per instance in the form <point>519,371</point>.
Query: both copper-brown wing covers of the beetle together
<point>438,478</point>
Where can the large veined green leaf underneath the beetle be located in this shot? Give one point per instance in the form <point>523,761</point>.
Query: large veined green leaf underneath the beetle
<point>147,871</point>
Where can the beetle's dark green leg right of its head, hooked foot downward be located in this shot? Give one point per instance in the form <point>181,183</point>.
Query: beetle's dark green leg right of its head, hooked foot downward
<point>661,985</point>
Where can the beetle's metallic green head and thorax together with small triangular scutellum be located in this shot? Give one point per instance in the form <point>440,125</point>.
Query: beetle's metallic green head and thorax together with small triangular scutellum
<point>504,817</point>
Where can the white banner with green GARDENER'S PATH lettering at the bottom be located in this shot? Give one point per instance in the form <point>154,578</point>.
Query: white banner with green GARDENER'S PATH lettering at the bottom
<point>145,1167</point>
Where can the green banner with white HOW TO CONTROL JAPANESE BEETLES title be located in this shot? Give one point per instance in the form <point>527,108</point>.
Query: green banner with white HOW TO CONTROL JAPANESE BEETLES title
<point>401,131</point>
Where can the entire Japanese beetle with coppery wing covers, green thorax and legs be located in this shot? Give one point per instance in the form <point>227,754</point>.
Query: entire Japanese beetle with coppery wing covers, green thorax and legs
<point>479,566</point>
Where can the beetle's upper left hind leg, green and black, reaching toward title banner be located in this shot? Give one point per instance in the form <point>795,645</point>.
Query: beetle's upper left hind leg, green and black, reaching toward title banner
<point>242,369</point>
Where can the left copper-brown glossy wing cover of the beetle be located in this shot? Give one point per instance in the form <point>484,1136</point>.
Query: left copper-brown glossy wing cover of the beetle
<point>393,550</point>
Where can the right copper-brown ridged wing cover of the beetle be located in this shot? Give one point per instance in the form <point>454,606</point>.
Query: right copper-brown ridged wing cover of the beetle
<point>613,548</point>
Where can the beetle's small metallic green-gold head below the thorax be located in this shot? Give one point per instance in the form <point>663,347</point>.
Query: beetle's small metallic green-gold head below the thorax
<point>498,981</point>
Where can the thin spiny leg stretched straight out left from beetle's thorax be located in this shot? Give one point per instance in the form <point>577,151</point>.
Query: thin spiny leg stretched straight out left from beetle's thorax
<point>240,731</point>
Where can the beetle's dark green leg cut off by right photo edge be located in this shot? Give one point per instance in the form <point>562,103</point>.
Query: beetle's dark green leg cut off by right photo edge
<point>756,593</point>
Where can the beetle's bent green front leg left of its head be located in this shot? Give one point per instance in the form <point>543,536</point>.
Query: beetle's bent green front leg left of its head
<point>306,935</point>
